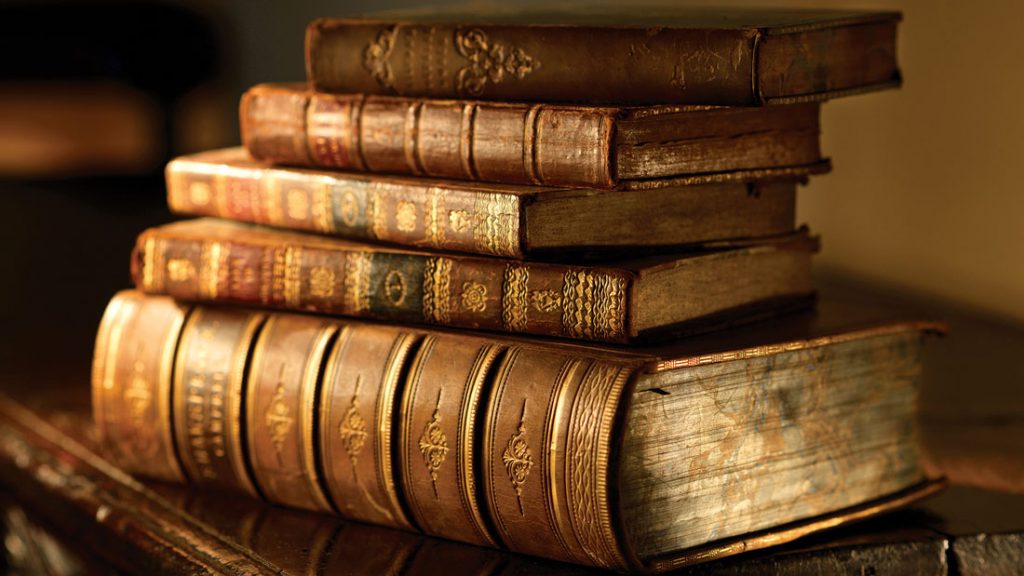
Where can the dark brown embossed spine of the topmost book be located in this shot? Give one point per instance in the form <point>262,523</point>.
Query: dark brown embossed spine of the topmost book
<point>539,64</point>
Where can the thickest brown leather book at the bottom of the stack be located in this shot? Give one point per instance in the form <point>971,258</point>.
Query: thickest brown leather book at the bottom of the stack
<point>557,450</point>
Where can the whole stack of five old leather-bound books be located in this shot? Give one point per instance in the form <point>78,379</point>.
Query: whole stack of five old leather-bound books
<point>558,314</point>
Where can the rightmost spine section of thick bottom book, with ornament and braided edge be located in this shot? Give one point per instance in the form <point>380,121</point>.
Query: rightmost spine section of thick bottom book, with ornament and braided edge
<point>547,452</point>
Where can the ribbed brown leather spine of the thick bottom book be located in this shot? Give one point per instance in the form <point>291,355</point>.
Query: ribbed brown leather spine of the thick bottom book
<point>499,445</point>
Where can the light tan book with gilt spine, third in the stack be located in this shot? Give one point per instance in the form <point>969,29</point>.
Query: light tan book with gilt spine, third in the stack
<point>491,220</point>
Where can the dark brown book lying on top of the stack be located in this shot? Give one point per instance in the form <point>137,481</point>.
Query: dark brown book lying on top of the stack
<point>624,55</point>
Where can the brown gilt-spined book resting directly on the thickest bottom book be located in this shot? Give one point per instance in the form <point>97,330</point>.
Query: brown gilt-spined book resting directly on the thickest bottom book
<point>628,301</point>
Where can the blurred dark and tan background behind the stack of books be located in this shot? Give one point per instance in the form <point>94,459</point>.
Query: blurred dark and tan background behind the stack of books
<point>97,97</point>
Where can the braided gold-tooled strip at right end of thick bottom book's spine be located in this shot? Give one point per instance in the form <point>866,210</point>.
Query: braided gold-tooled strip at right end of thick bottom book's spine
<point>587,463</point>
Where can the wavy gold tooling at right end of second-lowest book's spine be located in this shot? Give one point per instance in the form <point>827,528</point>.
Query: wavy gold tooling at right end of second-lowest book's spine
<point>593,306</point>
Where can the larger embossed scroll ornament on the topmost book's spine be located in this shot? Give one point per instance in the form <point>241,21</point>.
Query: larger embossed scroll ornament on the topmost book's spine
<point>489,62</point>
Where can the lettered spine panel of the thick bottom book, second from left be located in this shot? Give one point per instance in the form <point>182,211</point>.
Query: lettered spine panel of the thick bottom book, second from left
<point>207,397</point>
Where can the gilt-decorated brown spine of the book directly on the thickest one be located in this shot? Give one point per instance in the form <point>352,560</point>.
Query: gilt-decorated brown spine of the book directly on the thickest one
<point>291,273</point>
